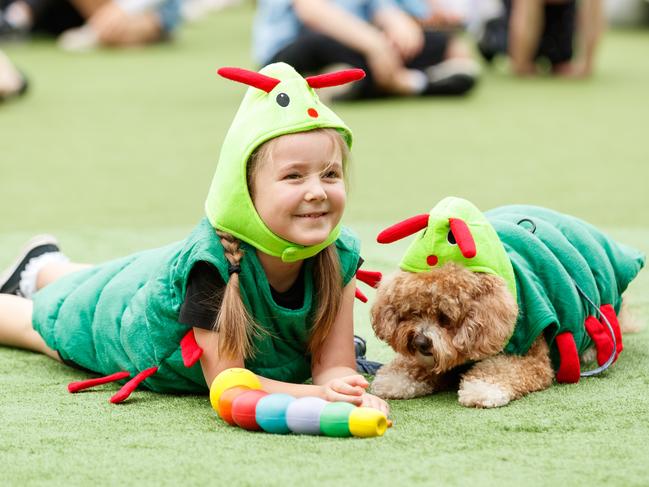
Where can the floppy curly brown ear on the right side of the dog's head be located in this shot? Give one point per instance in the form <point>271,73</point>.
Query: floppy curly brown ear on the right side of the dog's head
<point>489,320</point>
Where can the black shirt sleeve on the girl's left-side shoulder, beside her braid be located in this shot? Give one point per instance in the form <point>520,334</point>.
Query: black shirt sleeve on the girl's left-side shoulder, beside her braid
<point>203,296</point>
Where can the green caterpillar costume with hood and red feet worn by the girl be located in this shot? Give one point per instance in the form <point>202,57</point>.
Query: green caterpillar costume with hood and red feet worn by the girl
<point>121,318</point>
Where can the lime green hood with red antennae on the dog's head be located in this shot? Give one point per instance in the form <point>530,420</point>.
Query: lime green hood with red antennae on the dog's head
<point>456,231</point>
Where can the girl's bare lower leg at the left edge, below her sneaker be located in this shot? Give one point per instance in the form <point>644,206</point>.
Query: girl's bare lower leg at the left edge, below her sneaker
<point>16,328</point>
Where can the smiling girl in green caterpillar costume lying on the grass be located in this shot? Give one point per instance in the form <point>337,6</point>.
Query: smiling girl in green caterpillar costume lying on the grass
<point>266,281</point>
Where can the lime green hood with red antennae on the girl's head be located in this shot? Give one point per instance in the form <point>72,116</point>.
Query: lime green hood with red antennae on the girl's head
<point>279,102</point>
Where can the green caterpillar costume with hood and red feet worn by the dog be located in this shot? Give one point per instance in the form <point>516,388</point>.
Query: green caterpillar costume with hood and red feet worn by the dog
<point>561,270</point>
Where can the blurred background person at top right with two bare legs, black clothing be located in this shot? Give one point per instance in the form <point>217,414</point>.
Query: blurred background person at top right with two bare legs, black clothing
<point>563,33</point>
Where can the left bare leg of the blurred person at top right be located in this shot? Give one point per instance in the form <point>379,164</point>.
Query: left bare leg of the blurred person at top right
<point>525,27</point>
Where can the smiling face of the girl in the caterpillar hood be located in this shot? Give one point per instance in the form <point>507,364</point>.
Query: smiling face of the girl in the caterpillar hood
<point>298,188</point>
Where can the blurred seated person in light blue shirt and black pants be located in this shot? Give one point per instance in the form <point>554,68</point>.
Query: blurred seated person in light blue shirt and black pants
<point>399,56</point>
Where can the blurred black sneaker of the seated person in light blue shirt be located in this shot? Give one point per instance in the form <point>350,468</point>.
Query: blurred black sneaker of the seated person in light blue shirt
<point>452,77</point>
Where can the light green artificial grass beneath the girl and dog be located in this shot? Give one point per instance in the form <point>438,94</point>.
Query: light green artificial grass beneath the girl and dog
<point>114,151</point>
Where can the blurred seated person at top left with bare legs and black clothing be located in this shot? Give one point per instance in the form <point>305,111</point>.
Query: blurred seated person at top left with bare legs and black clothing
<point>116,23</point>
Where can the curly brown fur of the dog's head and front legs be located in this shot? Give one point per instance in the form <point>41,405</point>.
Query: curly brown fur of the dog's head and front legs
<point>440,320</point>
